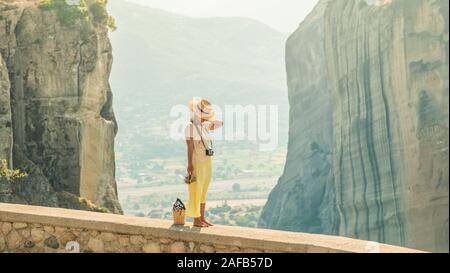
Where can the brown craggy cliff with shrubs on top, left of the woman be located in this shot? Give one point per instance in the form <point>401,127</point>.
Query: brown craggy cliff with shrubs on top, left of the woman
<point>63,125</point>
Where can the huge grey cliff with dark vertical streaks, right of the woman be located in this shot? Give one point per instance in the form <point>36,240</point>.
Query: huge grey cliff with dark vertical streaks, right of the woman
<point>387,75</point>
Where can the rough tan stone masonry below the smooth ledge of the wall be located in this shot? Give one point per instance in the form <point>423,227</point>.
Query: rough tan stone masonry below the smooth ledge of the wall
<point>32,238</point>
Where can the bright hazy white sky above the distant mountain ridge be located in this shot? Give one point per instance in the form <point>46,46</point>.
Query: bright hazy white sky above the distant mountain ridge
<point>284,15</point>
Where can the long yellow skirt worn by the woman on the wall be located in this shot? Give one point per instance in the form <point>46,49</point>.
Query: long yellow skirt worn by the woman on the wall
<point>198,189</point>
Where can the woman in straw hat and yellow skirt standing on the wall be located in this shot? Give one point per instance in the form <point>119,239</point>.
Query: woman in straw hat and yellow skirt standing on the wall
<point>199,152</point>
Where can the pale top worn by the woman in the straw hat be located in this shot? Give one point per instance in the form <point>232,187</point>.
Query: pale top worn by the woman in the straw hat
<point>193,132</point>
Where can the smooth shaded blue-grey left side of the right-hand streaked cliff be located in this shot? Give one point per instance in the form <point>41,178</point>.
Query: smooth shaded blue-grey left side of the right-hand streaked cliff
<point>303,198</point>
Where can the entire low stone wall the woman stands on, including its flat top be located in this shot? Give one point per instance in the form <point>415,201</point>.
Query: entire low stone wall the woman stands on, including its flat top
<point>42,229</point>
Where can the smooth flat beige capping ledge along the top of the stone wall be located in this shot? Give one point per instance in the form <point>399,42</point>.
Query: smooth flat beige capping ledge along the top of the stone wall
<point>244,238</point>
